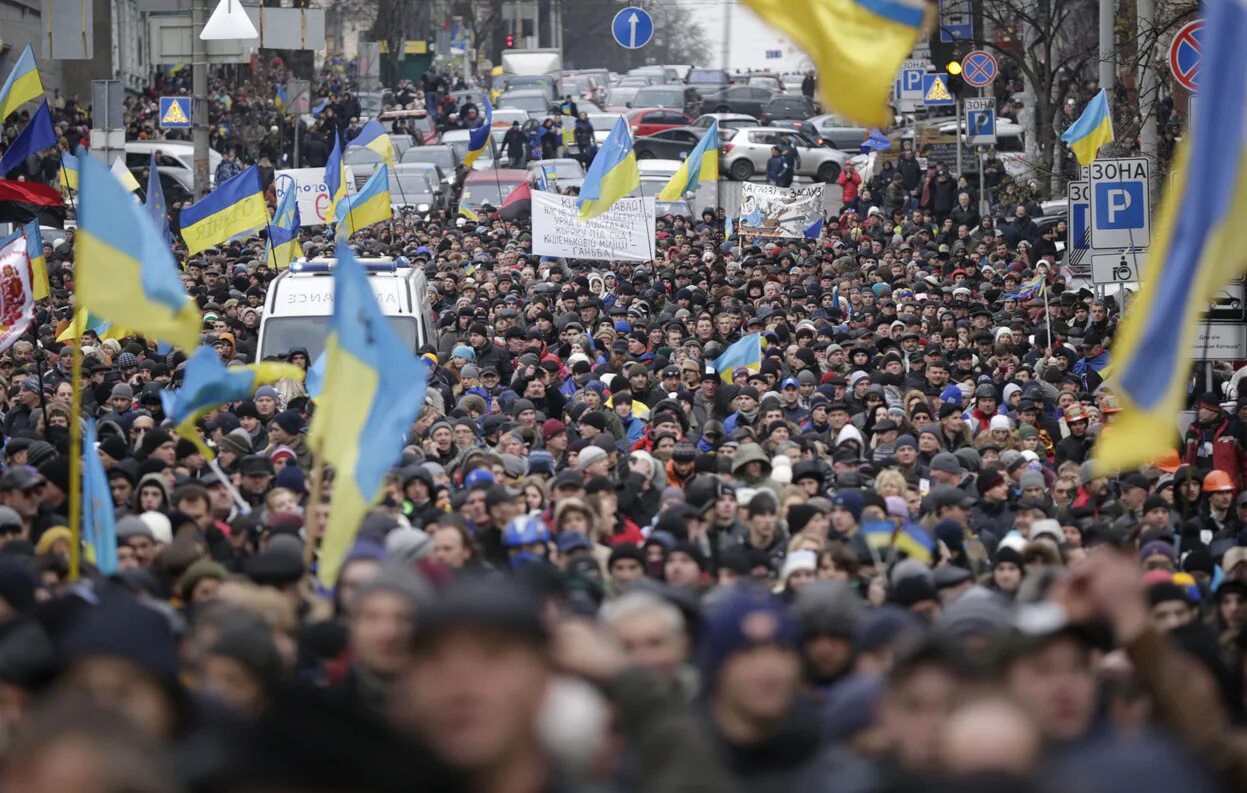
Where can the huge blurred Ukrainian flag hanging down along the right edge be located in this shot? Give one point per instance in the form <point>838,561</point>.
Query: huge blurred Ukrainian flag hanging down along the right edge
<point>1198,249</point>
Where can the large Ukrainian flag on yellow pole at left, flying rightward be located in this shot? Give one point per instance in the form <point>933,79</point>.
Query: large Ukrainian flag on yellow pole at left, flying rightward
<point>125,274</point>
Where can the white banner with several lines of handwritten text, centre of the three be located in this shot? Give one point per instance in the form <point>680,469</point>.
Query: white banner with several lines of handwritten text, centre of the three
<point>623,233</point>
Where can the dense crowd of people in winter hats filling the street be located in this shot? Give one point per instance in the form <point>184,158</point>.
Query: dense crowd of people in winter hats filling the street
<point>882,558</point>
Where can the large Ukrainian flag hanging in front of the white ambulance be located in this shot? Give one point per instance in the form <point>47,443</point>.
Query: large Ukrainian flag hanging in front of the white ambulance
<point>373,391</point>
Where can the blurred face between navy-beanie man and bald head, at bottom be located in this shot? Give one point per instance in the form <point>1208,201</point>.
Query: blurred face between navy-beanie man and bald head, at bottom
<point>913,716</point>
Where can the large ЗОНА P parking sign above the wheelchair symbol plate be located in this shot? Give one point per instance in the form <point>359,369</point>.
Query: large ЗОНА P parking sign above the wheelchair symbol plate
<point>1120,211</point>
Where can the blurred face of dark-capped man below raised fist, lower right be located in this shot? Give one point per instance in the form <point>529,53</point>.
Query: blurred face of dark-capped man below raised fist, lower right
<point>1057,688</point>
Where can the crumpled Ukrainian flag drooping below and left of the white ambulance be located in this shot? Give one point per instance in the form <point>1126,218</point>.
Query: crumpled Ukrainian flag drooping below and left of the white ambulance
<point>208,383</point>
